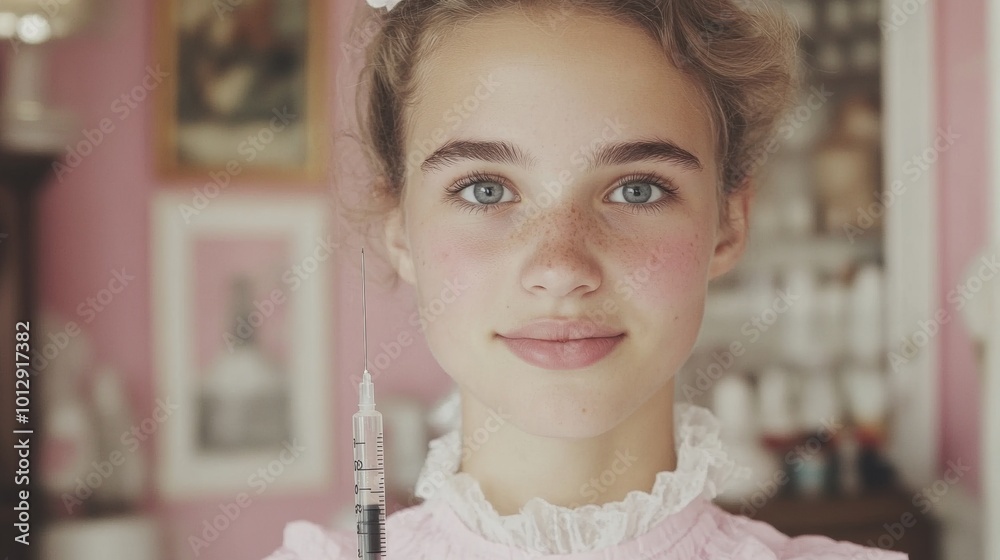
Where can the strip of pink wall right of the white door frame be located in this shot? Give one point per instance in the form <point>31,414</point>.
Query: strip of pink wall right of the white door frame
<point>962,180</point>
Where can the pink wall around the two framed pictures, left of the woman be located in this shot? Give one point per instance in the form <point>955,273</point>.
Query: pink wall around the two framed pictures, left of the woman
<point>96,219</point>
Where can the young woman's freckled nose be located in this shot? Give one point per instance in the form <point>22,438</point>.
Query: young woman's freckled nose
<point>562,263</point>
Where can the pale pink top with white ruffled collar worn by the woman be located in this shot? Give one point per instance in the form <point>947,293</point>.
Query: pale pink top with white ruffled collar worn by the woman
<point>675,521</point>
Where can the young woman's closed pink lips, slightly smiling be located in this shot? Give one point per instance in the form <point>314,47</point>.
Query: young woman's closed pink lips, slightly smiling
<point>562,345</point>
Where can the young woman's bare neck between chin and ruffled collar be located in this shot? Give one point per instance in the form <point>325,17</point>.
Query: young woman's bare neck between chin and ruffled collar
<point>514,467</point>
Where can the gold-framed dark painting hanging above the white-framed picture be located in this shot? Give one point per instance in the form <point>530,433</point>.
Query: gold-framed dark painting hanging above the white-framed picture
<point>244,92</point>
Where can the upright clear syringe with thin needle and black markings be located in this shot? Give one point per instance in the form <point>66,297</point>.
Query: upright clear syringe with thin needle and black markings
<point>369,458</point>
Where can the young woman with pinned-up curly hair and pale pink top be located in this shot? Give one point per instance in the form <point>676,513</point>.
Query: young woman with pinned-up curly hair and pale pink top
<point>577,172</point>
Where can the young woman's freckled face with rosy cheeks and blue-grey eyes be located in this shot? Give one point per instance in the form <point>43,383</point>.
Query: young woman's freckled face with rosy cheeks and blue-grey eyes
<point>561,184</point>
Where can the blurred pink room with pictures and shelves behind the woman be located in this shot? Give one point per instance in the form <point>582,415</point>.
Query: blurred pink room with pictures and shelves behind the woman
<point>173,260</point>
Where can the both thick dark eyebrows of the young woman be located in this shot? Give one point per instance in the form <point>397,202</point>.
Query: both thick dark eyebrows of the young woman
<point>610,154</point>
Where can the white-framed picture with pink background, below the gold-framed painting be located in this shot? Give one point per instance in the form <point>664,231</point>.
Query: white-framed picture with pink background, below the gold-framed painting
<point>242,343</point>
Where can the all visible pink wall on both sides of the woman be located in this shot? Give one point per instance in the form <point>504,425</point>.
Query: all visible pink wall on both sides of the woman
<point>97,220</point>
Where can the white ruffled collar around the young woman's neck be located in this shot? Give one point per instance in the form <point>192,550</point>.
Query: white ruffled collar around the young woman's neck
<point>703,468</point>
